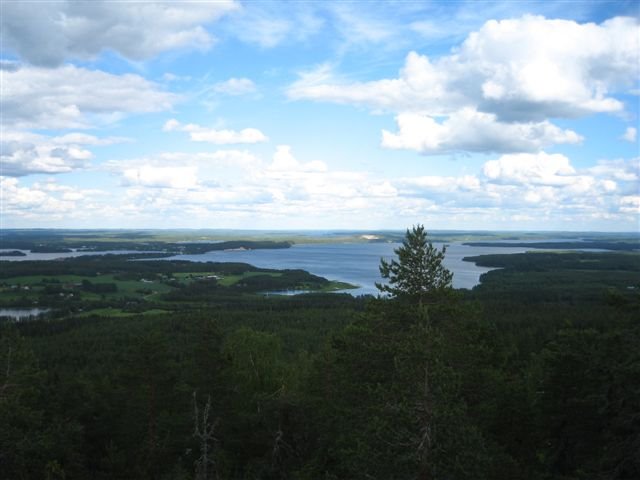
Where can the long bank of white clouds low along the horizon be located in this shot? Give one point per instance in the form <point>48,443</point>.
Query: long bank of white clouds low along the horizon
<point>231,187</point>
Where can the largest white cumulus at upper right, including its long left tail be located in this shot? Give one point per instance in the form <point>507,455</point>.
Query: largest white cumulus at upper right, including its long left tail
<point>524,69</point>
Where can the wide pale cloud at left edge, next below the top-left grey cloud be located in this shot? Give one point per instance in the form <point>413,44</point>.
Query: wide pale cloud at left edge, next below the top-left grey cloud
<point>74,97</point>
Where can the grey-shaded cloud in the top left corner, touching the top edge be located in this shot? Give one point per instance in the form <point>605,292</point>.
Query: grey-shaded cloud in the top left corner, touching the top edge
<point>56,31</point>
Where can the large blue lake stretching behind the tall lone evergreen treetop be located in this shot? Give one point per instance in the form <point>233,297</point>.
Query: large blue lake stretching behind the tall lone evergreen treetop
<point>355,263</point>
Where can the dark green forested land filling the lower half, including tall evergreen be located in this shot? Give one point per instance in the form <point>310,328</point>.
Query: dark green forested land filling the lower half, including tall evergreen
<point>176,370</point>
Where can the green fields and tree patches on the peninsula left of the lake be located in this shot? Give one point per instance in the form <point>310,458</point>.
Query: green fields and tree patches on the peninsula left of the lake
<point>115,285</point>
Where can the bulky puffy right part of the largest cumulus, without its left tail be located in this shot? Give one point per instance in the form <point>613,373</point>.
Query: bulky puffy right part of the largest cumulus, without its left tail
<point>538,68</point>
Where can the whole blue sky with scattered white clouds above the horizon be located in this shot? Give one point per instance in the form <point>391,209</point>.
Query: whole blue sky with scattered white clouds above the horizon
<point>469,115</point>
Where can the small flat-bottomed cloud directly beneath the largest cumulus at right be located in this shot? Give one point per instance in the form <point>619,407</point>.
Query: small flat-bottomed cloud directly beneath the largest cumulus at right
<point>473,131</point>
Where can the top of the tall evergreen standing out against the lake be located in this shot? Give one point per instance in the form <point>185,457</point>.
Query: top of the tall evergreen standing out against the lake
<point>418,273</point>
